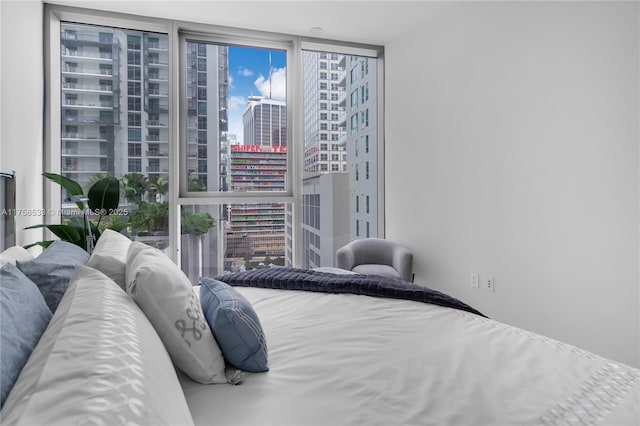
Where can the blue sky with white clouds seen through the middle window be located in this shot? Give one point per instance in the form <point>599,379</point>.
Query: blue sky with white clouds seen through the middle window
<point>249,75</point>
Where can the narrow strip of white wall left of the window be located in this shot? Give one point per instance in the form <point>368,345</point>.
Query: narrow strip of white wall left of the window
<point>21,108</point>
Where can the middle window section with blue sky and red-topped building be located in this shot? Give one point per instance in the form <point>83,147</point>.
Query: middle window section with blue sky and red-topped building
<point>235,136</point>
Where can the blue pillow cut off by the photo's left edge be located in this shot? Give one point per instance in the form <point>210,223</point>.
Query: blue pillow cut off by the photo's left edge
<point>24,316</point>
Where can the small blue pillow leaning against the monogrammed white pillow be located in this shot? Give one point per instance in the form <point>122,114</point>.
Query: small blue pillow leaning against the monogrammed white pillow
<point>235,325</point>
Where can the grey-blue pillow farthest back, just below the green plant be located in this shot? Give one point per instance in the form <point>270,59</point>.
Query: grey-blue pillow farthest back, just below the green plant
<point>52,270</point>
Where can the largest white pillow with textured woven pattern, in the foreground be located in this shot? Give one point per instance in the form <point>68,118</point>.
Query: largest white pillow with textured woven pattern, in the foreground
<point>99,362</point>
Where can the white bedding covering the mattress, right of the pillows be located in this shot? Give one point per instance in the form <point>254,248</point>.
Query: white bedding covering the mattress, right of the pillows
<point>359,360</point>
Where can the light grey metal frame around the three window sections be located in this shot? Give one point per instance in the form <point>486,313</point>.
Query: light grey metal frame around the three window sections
<point>176,31</point>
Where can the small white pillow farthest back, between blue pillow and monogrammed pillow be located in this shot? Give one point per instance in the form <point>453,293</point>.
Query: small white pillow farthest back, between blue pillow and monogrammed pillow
<point>110,255</point>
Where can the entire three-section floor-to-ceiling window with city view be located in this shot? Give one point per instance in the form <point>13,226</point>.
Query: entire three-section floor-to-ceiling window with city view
<point>232,151</point>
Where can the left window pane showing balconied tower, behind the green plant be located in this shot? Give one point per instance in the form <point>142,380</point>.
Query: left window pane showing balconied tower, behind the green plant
<point>114,118</point>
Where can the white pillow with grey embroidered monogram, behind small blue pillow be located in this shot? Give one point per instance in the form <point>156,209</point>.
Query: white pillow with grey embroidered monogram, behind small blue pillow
<point>165,295</point>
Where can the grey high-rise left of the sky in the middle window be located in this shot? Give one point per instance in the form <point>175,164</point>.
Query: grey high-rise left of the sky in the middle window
<point>207,88</point>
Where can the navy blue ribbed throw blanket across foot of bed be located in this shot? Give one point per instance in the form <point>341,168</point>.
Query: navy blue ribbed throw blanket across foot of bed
<point>367,285</point>
